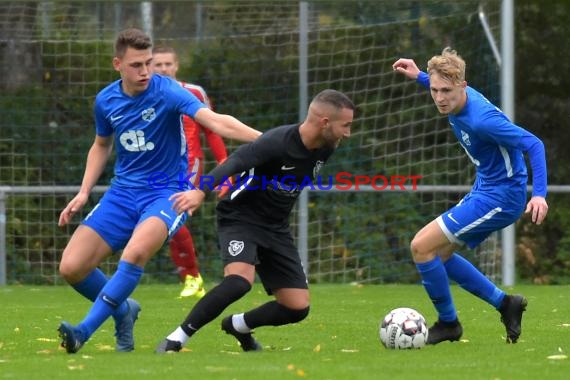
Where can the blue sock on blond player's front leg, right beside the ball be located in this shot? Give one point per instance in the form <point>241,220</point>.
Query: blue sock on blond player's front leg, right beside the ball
<point>434,280</point>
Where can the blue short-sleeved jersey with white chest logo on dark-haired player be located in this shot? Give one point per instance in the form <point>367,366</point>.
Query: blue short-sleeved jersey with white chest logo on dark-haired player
<point>148,135</point>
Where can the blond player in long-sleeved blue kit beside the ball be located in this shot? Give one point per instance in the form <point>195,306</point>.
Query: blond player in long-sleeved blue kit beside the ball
<point>495,146</point>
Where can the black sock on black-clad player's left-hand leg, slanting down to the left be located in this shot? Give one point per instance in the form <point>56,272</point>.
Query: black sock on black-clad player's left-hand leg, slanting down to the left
<point>232,288</point>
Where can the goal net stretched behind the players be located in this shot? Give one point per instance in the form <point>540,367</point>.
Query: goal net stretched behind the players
<point>56,56</point>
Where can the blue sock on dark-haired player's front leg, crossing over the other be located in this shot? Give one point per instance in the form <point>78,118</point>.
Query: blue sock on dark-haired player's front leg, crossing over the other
<point>113,294</point>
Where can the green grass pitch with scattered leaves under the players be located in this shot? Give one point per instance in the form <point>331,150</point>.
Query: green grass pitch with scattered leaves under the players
<point>339,339</point>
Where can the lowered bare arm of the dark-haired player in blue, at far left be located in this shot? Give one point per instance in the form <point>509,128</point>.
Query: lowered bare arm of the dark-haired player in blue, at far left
<point>96,160</point>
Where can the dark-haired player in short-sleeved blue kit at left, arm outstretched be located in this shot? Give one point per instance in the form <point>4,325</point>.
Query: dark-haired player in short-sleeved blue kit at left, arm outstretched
<point>140,115</point>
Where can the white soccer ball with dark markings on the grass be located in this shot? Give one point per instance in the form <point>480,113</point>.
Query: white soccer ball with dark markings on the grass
<point>403,328</point>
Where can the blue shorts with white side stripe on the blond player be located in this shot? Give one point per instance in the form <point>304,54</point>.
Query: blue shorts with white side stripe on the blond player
<point>482,212</point>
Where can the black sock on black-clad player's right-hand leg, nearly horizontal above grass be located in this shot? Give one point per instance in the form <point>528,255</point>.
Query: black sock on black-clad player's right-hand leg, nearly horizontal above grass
<point>273,314</point>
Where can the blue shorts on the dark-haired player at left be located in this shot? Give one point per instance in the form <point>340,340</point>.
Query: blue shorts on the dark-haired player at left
<point>121,209</point>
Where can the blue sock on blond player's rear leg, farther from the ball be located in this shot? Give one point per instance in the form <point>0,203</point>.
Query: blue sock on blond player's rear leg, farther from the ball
<point>471,279</point>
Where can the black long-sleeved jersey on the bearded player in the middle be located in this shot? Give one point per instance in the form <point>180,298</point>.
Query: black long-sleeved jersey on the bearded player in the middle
<point>273,170</point>
